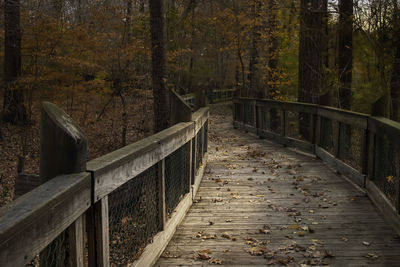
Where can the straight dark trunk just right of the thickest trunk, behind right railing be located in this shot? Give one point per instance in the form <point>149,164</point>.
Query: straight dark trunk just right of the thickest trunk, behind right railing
<point>345,52</point>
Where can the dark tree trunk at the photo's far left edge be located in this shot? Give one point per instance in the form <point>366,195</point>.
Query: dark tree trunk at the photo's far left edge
<point>13,106</point>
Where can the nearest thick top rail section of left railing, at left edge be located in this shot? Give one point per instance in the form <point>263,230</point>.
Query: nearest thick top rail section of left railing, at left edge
<point>35,219</point>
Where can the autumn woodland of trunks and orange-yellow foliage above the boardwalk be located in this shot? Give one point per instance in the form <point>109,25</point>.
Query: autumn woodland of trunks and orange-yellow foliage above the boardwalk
<point>282,50</point>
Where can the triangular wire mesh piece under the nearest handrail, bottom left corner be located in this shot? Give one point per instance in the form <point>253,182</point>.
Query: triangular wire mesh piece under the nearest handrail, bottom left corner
<point>55,254</point>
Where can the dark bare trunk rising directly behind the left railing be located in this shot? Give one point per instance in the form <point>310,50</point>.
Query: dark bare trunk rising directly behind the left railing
<point>159,64</point>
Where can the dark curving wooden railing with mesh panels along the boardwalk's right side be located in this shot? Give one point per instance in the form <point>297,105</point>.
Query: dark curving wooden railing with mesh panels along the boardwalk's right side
<point>364,148</point>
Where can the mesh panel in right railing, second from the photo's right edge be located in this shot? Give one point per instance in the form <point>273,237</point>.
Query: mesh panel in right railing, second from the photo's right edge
<point>351,142</point>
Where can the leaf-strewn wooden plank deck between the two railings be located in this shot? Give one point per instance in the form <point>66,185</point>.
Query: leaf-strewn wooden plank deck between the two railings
<point>262,204</point>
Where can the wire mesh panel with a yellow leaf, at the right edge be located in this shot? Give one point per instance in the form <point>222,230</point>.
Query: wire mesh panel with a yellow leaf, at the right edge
<point>387,168</point>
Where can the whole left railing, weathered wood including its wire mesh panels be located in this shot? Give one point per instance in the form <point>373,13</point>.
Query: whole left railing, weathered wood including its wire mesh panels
<point>122,210</point>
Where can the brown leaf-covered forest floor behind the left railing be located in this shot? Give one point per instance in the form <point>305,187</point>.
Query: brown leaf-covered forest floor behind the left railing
<point>104,133</point>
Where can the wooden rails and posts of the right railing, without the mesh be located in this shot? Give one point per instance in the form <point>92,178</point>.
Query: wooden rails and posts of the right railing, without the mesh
<point>371,127</point>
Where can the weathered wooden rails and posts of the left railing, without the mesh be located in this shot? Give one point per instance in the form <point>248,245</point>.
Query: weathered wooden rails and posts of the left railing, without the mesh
<point>30,223</point>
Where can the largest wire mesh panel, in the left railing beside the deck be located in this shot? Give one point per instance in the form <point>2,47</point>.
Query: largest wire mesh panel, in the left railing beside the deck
<point>133,217</point>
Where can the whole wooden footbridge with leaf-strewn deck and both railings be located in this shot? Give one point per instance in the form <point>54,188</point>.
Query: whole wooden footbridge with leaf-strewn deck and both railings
<point>279,184</point>
